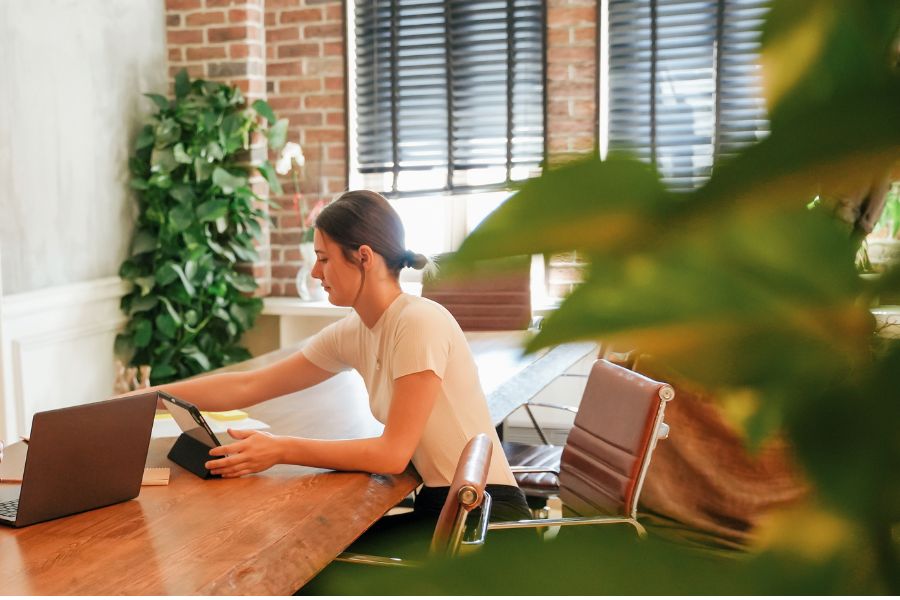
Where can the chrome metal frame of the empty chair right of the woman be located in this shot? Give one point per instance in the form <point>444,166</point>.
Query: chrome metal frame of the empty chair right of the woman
<point>660,431</point>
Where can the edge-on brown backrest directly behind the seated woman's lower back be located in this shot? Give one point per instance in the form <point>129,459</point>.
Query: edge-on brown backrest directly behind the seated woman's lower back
<point>465,495</point>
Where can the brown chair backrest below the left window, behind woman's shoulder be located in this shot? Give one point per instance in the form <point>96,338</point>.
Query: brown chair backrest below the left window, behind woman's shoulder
<point>496,301</point>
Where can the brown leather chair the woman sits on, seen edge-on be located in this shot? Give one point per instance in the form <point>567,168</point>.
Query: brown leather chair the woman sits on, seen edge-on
<point>466,494</point>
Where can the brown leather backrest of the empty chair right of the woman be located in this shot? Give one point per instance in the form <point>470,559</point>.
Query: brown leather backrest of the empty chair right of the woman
<point>608,451</point>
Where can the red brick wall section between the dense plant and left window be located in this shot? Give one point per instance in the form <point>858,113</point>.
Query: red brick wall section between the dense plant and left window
<point>306,72</point>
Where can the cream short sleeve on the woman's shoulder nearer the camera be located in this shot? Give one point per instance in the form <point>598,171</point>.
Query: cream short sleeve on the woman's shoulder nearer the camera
<point>422,343</point>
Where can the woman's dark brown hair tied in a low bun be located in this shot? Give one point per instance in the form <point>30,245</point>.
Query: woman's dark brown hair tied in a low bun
<point>362,217</point>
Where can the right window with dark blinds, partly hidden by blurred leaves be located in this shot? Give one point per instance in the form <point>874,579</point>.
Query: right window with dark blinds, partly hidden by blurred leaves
<point>683,82</point>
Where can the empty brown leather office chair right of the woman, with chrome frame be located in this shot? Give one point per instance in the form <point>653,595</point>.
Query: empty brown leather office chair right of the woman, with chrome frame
<point>604,462</point>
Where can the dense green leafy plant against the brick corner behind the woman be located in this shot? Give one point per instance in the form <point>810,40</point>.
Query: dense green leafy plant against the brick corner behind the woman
<point>199,217</point>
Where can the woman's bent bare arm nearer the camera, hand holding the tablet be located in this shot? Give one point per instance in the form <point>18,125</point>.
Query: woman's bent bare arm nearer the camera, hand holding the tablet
<point>413,400</point>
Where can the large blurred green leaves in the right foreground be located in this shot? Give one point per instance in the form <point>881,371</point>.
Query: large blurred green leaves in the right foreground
<point>740,287</point>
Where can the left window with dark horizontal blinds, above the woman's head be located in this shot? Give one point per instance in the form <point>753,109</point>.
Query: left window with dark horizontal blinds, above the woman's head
<point>449,94</point>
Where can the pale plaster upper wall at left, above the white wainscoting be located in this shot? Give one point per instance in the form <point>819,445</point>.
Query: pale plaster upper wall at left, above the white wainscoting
<point>71,77</point>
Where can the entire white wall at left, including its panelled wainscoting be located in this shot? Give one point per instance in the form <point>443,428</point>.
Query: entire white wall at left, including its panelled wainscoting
<point>72,75</point>
